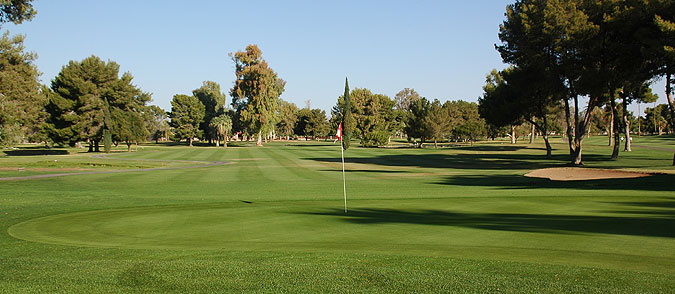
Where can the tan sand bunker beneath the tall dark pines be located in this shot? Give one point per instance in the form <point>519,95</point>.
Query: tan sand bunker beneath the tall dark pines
<point>580,174</point>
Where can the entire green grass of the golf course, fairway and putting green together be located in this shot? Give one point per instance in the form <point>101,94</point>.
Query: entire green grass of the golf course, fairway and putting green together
<point>457,219</point>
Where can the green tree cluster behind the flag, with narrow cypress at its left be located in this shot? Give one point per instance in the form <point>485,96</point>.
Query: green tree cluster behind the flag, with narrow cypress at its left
<point>375,118</point>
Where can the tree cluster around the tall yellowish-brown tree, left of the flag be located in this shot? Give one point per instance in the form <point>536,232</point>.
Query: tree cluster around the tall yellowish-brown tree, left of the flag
<point>257,111</point>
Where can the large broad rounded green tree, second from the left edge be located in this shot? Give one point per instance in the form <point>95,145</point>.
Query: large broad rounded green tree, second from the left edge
<point>90,99</point>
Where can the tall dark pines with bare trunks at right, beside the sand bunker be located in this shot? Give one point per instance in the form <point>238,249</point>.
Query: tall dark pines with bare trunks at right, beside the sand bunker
<point>561,51</point>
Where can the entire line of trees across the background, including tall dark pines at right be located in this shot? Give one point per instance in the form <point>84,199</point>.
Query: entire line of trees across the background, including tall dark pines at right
<point>559,51</point>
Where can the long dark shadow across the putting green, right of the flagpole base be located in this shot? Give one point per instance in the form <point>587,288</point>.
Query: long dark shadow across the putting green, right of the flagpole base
<point>536,223</point>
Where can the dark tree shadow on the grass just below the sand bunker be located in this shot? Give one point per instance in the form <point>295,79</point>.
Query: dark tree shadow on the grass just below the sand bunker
<point>659,182</point>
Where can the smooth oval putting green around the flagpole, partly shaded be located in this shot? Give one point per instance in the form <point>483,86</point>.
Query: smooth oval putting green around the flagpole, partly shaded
<point>408,227</point>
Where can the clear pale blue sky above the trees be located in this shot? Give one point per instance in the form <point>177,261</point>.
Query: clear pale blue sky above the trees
<point>442,49</point>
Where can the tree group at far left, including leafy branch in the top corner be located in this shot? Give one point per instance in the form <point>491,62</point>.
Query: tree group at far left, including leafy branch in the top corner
<point>87,101</point>
